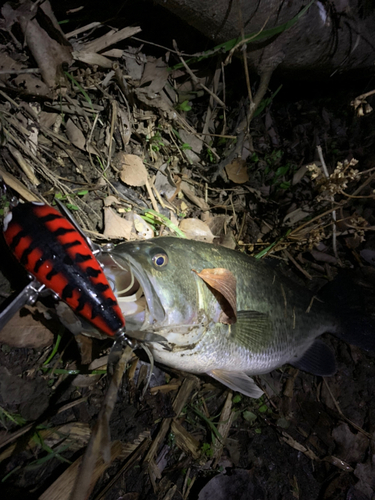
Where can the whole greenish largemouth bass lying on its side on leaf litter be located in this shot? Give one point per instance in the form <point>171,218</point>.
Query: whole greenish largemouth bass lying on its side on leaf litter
<point>226,314</point>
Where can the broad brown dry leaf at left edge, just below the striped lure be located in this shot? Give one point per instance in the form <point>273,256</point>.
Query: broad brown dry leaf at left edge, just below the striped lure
<point>24,331</point>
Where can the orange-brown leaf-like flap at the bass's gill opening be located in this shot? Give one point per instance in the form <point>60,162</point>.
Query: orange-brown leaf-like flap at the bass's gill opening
<point>223,285</point>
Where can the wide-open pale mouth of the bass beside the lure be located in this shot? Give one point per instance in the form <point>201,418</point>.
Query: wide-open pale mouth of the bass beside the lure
<point>133,289</point>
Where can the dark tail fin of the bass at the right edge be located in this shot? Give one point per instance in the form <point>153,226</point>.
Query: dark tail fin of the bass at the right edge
<point>352,297</point>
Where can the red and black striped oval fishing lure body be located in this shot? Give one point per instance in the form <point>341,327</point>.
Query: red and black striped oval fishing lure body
<point>53,251</point>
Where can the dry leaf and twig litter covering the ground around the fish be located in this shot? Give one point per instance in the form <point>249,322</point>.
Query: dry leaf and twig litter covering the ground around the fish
<point>138,146</point>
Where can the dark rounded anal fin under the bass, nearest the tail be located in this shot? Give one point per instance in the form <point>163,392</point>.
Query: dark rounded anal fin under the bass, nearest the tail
<point>318,360</point>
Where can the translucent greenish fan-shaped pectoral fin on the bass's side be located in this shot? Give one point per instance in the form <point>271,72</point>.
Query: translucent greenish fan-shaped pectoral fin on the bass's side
<point>253,330</point>
